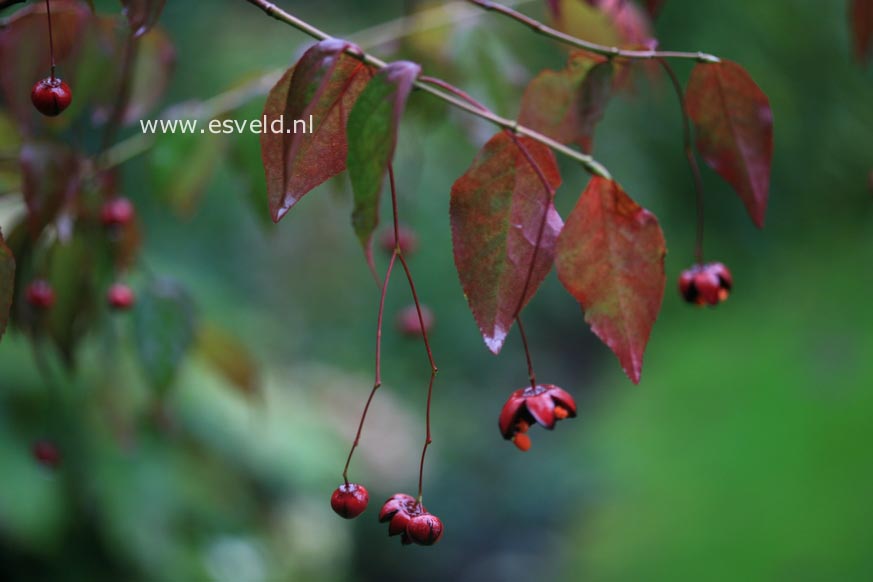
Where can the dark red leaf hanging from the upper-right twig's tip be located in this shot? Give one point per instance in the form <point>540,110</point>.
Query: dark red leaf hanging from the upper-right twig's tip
<point>734,126</point>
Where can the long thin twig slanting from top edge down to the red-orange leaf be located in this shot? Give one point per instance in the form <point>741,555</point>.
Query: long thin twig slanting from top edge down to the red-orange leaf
<point>588,162</point>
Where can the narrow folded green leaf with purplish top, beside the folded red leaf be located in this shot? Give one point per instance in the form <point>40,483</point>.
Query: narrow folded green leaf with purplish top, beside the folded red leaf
<point>372,135</point>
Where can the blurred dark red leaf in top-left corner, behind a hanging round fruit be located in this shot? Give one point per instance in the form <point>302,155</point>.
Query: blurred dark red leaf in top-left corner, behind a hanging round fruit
<point>24,52</point>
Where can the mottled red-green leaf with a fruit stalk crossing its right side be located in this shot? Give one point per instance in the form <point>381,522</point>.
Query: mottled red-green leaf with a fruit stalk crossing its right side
<point>497,208</point>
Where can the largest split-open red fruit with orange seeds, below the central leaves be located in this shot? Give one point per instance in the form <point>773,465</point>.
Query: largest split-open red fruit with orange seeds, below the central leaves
<point>545,405</point>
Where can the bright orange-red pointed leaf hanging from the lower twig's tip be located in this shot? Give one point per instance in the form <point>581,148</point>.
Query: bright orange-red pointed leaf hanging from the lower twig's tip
<point>610,257</point>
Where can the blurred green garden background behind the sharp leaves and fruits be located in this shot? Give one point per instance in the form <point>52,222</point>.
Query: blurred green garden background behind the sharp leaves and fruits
<point>745,453</point>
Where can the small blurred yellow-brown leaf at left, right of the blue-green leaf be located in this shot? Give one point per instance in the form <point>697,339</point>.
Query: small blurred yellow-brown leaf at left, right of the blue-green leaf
<point>229,357</point>
